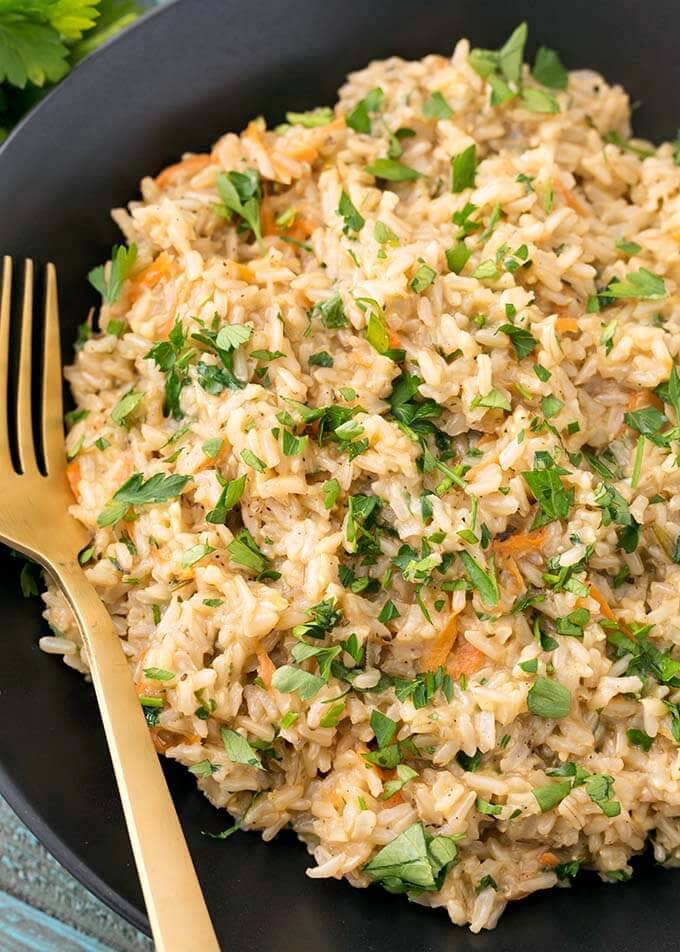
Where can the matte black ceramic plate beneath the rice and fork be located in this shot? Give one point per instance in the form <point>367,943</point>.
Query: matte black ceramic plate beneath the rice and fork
<point>174,83</point>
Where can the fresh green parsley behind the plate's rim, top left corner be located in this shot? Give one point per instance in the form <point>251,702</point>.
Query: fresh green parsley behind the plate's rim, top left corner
<point>41,41</point>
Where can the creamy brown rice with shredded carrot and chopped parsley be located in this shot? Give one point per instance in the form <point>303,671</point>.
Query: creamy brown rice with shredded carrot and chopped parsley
<point>377,442</point>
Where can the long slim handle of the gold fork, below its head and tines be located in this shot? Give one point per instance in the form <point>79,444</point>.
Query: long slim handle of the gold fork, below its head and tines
<point>174,901</point>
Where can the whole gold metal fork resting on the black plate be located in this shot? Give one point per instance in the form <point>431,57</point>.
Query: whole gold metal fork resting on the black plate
<point>34,519</point>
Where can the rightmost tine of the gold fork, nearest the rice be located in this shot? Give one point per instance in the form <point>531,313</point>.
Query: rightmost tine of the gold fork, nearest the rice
<point>52,413</point>
